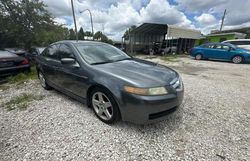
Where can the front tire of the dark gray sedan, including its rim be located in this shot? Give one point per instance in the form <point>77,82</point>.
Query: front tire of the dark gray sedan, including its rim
<point>104,106</point>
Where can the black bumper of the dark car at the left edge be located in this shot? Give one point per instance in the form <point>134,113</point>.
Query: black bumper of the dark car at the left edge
<point>13,70</point>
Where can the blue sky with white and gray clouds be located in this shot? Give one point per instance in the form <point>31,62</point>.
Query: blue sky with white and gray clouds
<point>113,17</point>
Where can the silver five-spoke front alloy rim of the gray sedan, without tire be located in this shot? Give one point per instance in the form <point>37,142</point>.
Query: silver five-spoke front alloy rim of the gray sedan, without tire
<point>102,106</point>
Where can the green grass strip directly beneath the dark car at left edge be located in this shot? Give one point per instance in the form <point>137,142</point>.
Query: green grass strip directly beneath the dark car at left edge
<point>23,77</point>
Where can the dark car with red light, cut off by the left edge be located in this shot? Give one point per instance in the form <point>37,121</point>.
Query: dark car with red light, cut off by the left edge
<point>12,64</point>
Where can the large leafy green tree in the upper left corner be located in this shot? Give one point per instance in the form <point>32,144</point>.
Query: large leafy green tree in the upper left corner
<point>22,20</point>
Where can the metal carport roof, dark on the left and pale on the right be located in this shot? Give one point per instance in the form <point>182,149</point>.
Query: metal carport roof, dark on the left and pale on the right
<point>145,35</point>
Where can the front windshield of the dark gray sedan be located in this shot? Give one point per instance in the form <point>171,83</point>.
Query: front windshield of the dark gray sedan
<point>101,53</point>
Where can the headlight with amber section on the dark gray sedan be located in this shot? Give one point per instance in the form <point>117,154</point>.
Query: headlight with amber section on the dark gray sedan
<point>146,91</point>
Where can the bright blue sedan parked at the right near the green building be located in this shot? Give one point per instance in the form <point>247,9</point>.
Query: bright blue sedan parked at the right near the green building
<point>220,51</point>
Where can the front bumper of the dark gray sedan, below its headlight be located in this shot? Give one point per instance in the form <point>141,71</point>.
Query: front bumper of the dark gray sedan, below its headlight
<point>148,109</point>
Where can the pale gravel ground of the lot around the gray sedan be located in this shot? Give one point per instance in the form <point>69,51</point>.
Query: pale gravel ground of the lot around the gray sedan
<point>213,122</point>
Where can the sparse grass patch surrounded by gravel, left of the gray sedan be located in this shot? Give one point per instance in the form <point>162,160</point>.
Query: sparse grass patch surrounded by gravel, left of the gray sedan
<point>22,101</point>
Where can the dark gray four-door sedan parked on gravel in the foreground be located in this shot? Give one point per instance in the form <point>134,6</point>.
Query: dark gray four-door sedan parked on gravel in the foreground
<point>114,84</point>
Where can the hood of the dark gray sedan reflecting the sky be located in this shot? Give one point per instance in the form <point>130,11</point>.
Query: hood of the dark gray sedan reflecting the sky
<point>139,73</point>
